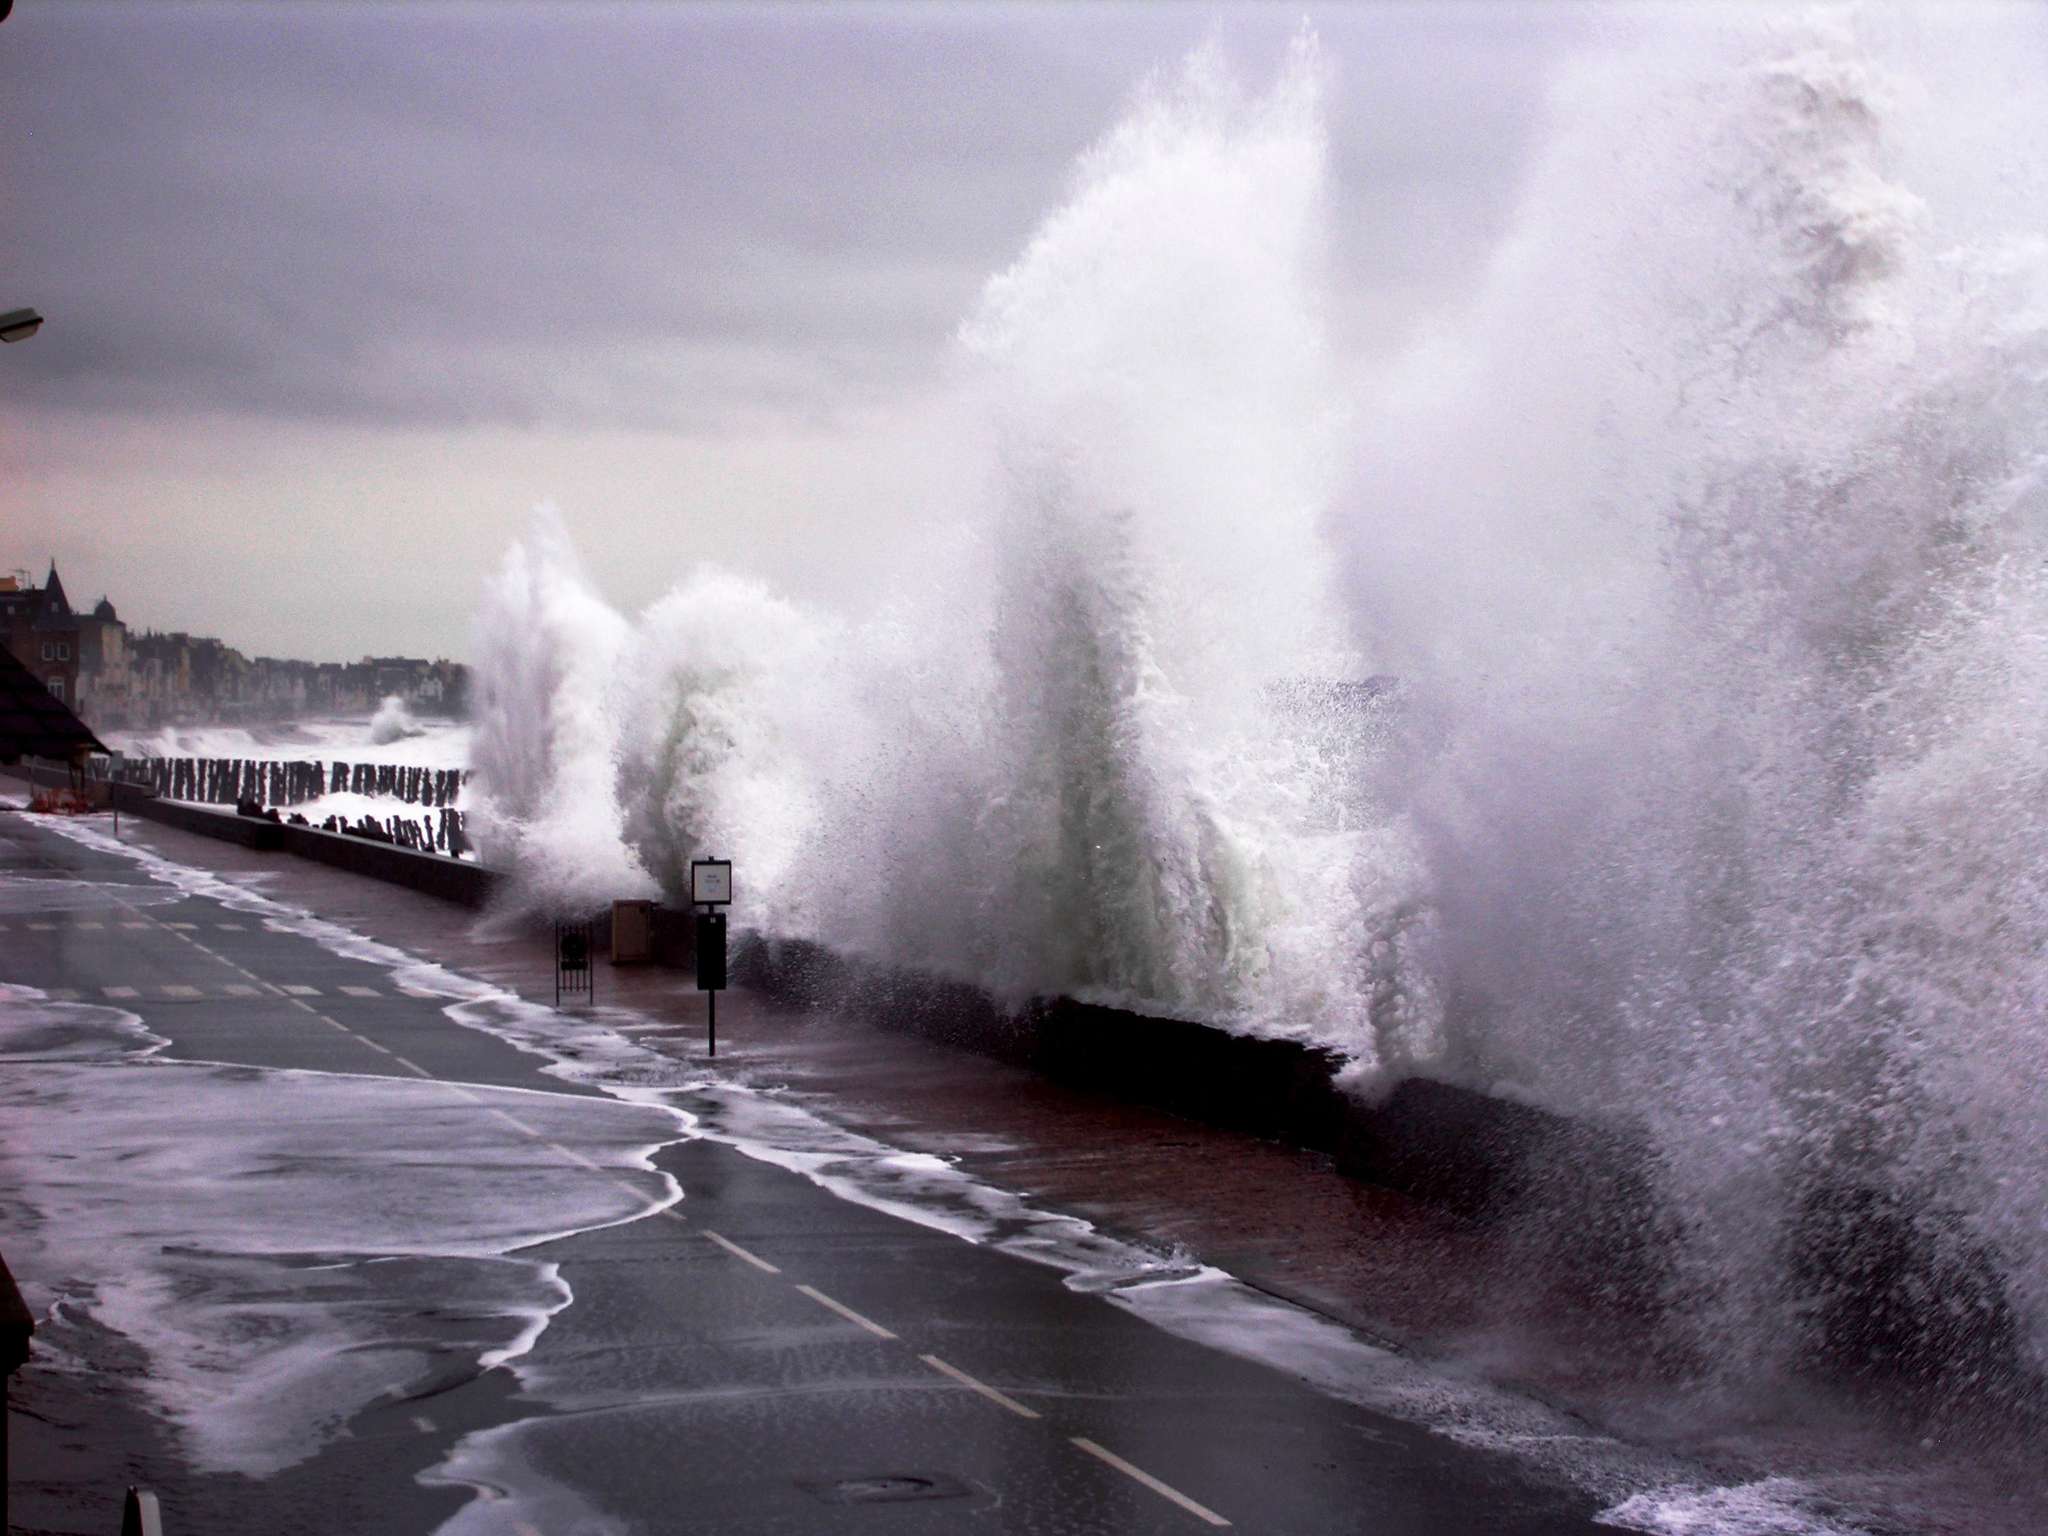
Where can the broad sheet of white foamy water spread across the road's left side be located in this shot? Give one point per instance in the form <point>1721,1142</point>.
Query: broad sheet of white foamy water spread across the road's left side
<point>292,1246</point>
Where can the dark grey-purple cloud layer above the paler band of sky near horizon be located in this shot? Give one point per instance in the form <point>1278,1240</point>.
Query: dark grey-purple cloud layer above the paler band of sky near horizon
<point>648,216</point>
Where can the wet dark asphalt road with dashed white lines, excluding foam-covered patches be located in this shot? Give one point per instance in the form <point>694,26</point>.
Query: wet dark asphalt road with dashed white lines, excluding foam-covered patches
<point>773,1359</point>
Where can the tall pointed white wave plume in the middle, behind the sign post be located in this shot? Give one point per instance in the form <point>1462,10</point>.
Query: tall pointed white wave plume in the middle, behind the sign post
<point>1156,792</point>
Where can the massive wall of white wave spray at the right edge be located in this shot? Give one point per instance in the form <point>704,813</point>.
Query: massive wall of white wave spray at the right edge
<point>1713,544</point>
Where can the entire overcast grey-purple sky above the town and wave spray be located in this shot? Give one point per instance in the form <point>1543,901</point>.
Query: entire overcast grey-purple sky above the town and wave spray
<point>337,292</point>
